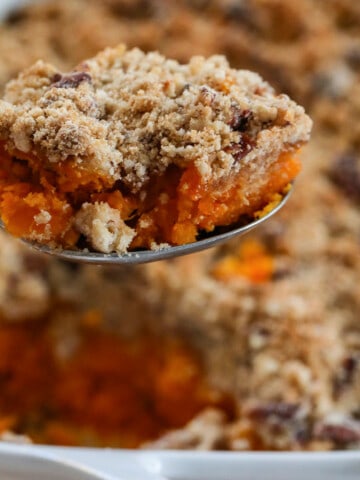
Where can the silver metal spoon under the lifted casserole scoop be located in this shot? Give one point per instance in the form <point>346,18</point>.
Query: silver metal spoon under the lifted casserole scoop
<point>146,256</point>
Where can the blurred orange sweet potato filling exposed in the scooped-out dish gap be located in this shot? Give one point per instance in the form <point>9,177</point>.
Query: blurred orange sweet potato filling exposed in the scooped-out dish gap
<point>128,393</point>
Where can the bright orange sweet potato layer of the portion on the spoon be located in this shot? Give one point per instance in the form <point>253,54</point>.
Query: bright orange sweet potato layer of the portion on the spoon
<point>172,208</point>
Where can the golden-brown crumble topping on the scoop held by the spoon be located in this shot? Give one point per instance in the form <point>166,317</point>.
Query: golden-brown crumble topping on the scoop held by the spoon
<point>126,115</point>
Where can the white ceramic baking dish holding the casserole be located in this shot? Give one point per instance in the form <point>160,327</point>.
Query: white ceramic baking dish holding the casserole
<point>30,462</point>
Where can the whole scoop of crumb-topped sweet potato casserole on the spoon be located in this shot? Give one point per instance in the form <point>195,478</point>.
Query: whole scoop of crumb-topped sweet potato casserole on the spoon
<point>132,150</point>
